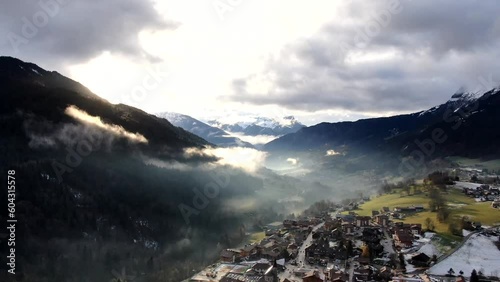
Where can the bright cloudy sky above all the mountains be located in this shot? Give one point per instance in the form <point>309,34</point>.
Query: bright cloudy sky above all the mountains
<point>318,60</point>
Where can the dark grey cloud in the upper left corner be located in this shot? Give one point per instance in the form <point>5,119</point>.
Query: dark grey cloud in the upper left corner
<point>75,30</point>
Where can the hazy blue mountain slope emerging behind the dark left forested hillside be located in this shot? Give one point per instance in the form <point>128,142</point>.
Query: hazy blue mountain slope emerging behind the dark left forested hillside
<point>212,134</point>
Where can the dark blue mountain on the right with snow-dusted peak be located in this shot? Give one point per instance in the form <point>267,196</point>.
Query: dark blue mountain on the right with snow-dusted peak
<point>468,124</point>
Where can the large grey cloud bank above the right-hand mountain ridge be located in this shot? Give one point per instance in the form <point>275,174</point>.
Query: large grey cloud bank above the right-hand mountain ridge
<point>373,59</point>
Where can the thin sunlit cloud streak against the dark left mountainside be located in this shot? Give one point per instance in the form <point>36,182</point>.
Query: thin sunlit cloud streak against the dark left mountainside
<point>82,116</point>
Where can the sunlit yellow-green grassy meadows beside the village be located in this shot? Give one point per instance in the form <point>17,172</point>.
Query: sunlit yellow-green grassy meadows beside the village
<point>459,204</point>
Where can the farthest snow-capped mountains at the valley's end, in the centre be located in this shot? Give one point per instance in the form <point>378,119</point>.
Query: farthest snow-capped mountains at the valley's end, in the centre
<point>261,126</point>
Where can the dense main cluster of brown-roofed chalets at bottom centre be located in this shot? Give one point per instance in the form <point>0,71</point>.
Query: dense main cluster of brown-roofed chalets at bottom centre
<point>333,246</point>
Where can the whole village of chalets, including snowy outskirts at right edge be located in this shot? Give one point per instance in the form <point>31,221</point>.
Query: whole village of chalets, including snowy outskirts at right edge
<point>339,244</point>
